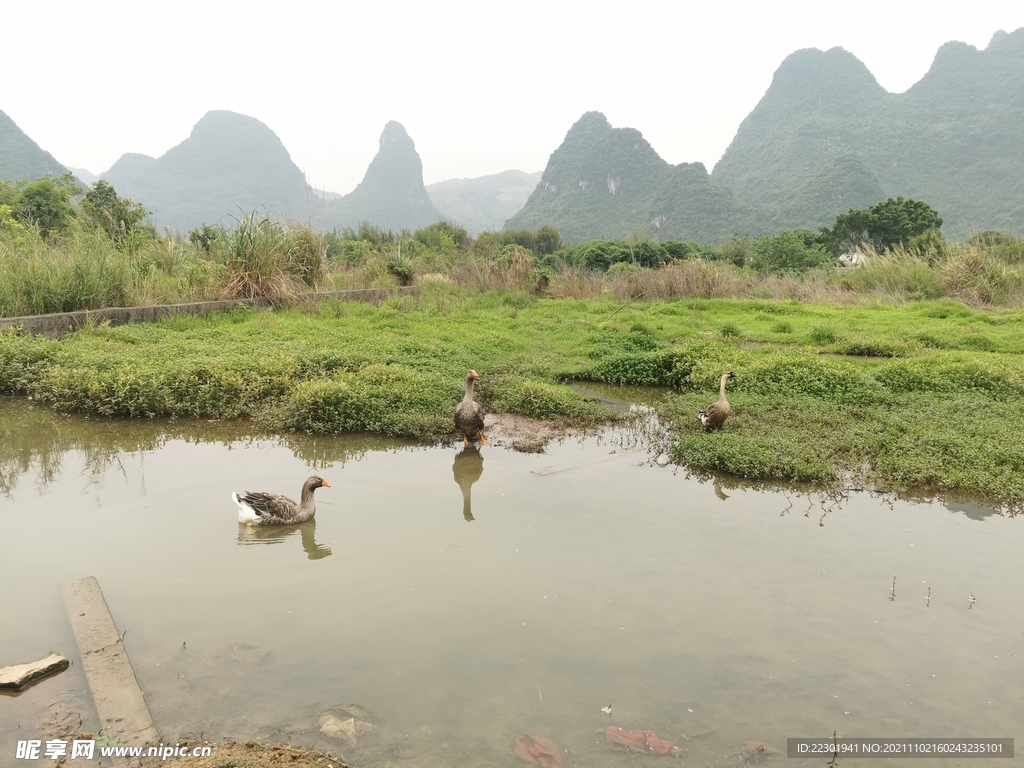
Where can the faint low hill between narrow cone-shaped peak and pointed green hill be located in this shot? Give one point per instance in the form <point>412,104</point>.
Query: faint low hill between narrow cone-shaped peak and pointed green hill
<point>485,203</point>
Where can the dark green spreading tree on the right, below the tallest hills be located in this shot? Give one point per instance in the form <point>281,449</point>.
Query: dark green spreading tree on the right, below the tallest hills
<point>883,226</point>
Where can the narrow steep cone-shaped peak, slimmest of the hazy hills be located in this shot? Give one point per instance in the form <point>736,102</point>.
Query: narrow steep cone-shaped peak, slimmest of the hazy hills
<point>392,194</point>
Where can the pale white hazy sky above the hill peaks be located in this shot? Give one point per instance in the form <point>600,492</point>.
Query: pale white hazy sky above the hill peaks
<point>481,88</point>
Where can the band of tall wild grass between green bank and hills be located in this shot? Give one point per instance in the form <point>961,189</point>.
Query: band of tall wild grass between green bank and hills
<point>263,258</point>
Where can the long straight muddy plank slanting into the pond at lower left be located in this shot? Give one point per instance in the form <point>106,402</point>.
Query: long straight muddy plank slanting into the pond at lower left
<point>115,691</point>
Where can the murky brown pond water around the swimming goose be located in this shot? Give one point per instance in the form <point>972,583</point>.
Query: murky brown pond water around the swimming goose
<point>569,581</point>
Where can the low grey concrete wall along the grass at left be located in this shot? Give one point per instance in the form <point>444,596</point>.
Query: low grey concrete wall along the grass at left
<point>56,326</point>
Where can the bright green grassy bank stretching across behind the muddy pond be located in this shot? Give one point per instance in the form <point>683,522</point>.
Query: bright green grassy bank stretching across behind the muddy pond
<point>923,395</point>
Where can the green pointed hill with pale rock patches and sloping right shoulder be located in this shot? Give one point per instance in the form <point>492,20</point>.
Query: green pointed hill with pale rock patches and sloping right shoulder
<point>610,183</point>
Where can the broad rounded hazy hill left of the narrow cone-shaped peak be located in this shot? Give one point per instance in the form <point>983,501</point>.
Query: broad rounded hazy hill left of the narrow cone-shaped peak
<point>230,165</point>
